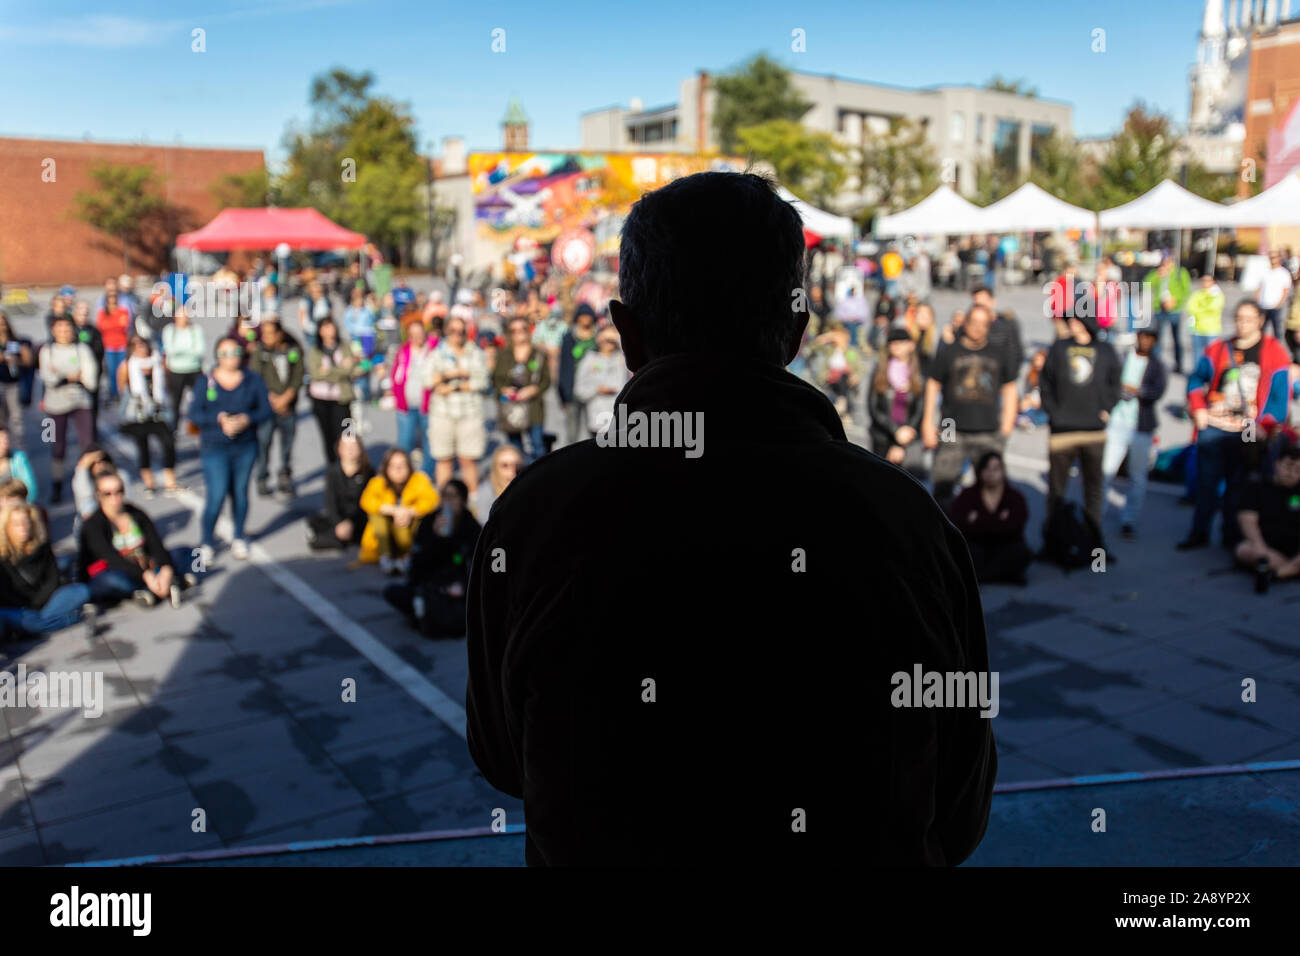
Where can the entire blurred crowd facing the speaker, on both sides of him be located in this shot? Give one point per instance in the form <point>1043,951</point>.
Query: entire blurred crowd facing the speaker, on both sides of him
<point>467,386</point>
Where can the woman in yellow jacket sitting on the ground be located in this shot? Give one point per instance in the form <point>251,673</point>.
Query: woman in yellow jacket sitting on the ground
<point>395,500</point>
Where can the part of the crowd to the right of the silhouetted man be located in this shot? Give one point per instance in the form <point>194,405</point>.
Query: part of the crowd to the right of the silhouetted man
<point>942,400</point>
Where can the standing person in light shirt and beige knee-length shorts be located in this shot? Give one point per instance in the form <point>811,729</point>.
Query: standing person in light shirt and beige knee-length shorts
<point>458,375</point>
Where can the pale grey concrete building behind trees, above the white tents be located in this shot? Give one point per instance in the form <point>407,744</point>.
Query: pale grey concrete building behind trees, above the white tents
<point>965,124</point>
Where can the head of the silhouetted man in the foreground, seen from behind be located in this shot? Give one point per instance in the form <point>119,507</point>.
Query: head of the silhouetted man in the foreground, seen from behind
<point>712,262</point>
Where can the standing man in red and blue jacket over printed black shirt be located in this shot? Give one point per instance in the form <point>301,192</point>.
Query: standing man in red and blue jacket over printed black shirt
<point>1241,383</point>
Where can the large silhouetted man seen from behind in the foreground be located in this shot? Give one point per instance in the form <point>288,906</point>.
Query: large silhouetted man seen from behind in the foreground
<point>687,635</point>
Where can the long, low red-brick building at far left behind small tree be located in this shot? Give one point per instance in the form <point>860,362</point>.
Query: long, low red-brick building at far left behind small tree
<point>42,243</point>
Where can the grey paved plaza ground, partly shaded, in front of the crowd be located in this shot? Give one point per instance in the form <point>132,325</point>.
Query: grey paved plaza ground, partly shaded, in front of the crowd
<point>232,706</point>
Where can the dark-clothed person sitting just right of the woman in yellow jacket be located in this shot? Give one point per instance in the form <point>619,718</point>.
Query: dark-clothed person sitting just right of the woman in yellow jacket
<point>435,592</point>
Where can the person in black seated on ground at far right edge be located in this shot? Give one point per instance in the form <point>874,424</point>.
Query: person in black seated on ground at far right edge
<point>1269,518</point>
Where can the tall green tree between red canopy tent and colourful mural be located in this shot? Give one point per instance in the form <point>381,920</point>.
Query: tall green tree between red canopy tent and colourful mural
<point>357,162</point>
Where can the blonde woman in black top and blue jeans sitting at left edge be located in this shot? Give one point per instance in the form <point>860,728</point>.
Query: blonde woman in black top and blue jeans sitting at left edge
<point>36,599</point>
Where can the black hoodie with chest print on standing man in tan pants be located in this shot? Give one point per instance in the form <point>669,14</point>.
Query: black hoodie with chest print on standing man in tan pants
<point>1078,384</point>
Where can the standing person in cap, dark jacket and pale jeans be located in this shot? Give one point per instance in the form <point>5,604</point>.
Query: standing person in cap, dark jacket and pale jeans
<point>1132,429</point>
